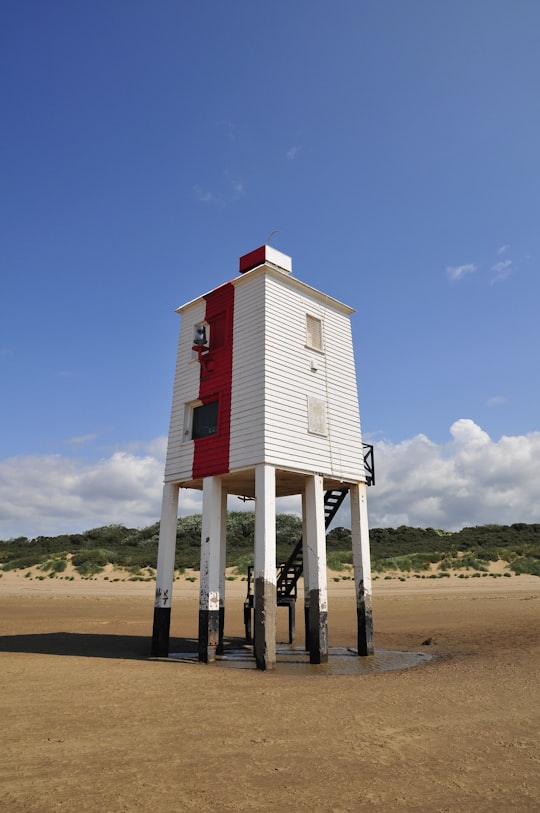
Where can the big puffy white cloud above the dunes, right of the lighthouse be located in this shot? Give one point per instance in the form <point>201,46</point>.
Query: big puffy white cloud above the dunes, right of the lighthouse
<point>472,480</point>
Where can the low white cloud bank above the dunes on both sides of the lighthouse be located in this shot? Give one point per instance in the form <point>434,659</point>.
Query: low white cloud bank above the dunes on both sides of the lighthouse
<point>471,480</point>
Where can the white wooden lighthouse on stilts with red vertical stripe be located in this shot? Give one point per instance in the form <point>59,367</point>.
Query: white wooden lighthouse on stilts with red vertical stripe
<point>265,405</point>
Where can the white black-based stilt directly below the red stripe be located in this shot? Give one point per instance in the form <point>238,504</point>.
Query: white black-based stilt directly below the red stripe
<point>209,595</point>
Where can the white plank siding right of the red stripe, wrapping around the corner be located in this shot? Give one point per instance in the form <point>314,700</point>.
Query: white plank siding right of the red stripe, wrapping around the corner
<point>273,378</point>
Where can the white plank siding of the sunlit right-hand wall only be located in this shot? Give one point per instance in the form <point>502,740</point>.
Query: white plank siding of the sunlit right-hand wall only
<point>289,380</point>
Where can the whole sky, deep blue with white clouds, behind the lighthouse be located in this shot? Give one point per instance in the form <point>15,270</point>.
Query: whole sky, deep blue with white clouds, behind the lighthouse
<point>146,146</point>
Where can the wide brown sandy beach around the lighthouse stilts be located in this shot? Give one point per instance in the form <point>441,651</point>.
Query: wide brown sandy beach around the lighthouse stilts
<point>90,723</point>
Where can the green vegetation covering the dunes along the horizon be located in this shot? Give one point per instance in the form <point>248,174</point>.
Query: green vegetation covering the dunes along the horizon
<point>404,550</point>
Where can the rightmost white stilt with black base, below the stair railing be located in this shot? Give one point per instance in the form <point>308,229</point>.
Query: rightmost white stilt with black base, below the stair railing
<point>362,567</point>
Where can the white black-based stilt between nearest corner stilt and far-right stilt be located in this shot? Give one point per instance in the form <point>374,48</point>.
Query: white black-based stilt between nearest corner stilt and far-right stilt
<point>316,549</point>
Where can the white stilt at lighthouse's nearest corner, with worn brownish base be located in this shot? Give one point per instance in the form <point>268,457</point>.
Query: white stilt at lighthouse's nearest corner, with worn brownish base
<point>265,567</point>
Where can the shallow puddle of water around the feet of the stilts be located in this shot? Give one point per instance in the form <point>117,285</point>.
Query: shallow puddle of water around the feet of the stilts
<point>341,661</point>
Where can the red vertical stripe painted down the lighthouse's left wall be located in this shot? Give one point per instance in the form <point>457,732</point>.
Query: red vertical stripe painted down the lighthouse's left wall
<point>211,453</point>
